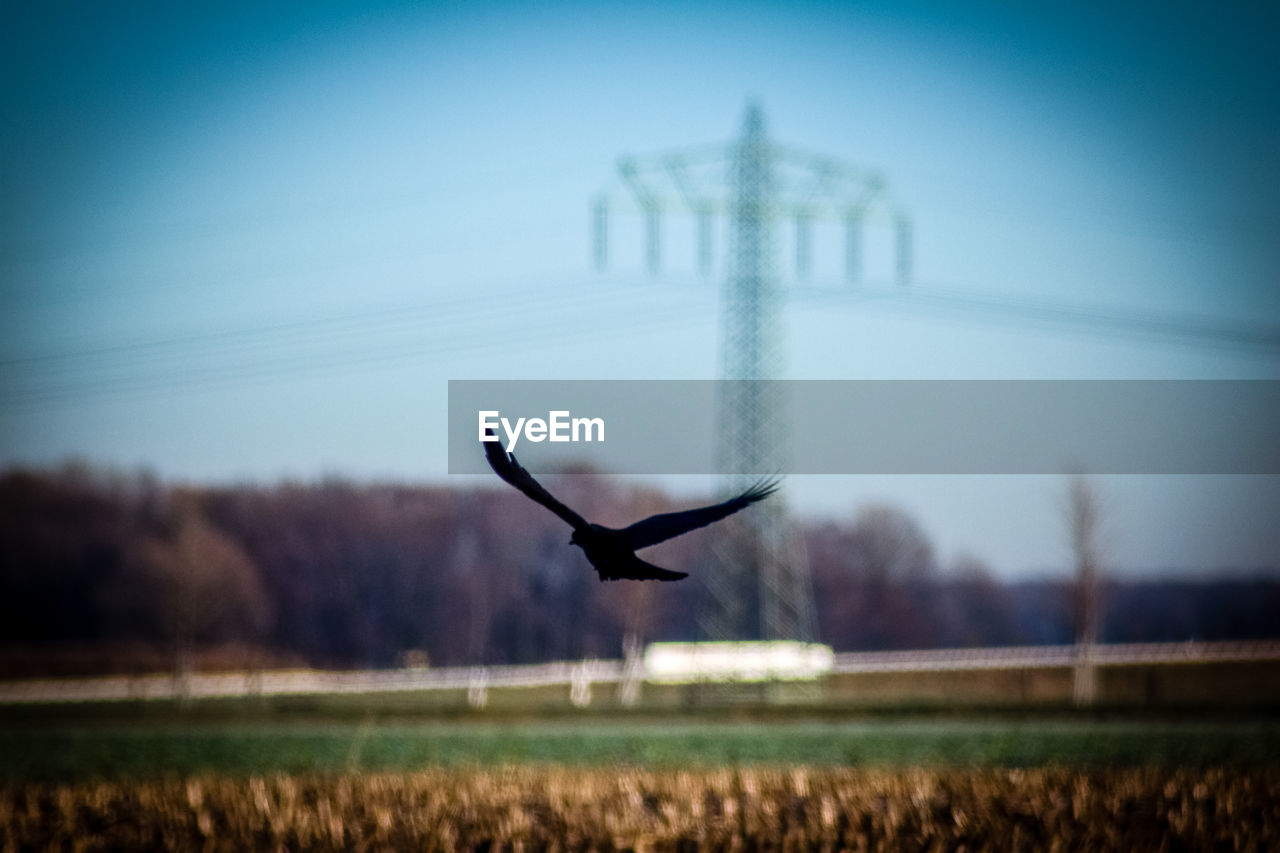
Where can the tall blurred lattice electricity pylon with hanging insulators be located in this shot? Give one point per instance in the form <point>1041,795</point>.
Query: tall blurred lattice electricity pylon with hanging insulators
<point>760,587</point>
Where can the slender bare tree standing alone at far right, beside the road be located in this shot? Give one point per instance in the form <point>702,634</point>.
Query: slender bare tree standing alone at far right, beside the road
<point>1085,519</point>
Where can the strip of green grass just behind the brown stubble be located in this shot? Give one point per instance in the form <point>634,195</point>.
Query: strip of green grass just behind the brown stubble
<point>81,750</point>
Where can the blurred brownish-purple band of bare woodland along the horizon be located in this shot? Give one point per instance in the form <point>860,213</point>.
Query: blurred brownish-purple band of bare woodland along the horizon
<point>104,572</point>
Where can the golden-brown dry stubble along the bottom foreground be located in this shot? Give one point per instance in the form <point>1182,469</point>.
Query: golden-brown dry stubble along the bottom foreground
<point>557,809</point>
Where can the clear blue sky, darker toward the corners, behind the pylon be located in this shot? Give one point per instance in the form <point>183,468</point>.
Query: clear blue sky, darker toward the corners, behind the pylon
<point>249,244</point>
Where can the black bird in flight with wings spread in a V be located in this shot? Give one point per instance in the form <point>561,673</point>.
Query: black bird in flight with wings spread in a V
<point>612,551</point>
